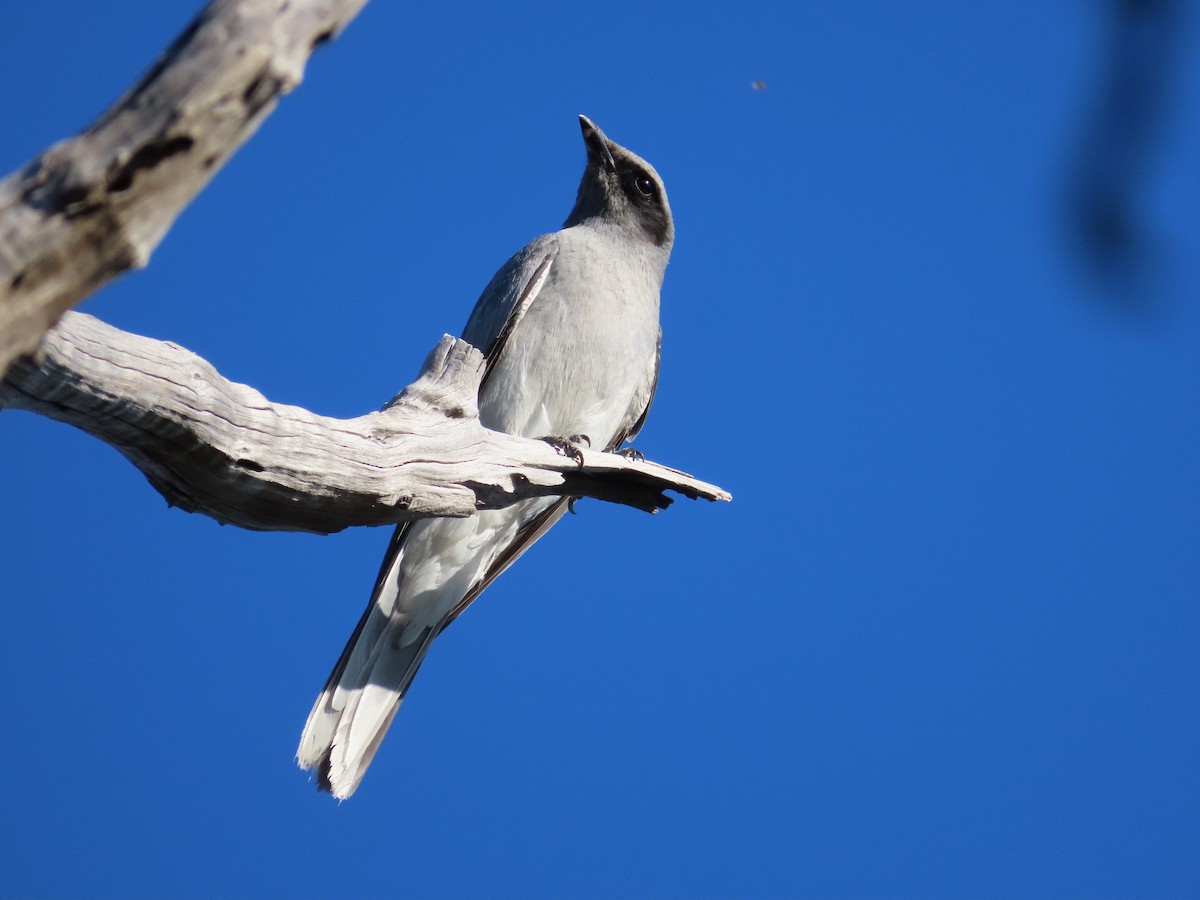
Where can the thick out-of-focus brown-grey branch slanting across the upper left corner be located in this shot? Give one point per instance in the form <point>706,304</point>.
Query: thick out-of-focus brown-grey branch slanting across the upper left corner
<point>95,206</point>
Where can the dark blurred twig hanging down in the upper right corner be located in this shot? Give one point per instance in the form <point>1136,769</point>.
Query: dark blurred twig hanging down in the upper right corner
<point>1112,164</point>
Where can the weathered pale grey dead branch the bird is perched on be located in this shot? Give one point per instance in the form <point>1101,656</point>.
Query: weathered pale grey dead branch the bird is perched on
<point>223,449</point>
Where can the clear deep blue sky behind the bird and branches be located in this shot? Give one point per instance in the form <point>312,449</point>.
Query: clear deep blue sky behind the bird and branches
<point>943,644</point>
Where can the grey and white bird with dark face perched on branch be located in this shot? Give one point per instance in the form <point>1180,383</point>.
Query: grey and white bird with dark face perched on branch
<point>569,329</point>
